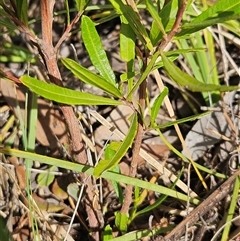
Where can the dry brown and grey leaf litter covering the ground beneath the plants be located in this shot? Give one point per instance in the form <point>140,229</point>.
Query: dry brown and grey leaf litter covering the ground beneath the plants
<point>59,200</point>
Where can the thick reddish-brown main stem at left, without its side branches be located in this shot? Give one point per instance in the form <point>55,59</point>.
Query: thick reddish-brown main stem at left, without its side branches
<point>78,149</point>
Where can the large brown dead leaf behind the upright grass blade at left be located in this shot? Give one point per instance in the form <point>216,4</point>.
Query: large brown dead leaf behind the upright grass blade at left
<point>51,129</point>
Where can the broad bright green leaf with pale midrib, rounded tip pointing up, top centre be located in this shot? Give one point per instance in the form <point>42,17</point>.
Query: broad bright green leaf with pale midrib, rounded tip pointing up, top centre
<point>95,50</point>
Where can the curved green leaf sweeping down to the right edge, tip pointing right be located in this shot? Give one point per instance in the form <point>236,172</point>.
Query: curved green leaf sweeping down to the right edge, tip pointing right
<point>189,82</point>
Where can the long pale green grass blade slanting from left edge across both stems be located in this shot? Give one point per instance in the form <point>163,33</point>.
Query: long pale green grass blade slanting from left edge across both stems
<point>89,170</point>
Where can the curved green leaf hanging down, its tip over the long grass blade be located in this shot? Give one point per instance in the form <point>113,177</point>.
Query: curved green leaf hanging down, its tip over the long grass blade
<point>107,164</point>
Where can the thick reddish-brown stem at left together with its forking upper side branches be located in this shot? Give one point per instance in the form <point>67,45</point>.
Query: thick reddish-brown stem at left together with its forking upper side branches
<point>49,57</point>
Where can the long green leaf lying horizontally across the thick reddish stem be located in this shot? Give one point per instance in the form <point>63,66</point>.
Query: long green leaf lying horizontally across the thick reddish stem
<point>64,95</point>
